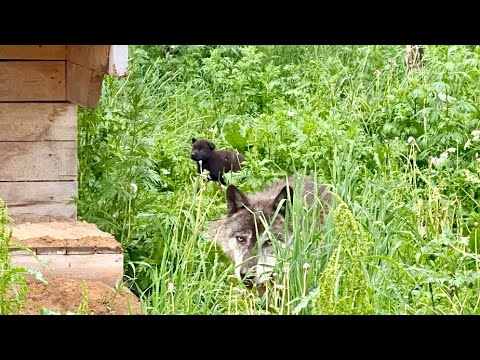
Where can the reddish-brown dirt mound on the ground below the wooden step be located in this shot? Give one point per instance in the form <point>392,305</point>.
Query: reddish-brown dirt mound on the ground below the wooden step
<point>65,295</point>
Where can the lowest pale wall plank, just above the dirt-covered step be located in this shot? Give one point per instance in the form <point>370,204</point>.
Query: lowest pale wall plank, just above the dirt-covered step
<point>39,199</point>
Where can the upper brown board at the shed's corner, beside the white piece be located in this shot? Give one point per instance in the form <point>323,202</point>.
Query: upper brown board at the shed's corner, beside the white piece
<point>94,57</point>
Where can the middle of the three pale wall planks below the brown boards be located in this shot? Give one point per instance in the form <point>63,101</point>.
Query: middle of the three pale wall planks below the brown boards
<point>38,161</point>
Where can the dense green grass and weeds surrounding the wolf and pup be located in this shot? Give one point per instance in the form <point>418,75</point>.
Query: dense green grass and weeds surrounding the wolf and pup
<point>400,148</point>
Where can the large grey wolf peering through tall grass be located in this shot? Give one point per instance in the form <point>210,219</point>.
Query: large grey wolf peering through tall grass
<point>237,233</point>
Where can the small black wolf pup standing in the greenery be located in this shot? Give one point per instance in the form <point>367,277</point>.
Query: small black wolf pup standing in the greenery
<point>217,162</point>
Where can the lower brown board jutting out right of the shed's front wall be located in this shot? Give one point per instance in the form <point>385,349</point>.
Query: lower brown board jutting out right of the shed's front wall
<point>84,86</point>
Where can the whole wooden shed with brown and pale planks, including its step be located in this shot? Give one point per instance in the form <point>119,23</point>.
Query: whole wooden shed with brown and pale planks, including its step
<point>41,87</point>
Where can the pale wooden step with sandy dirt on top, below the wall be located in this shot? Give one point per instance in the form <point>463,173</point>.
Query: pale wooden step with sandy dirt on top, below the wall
<point>69,248</point>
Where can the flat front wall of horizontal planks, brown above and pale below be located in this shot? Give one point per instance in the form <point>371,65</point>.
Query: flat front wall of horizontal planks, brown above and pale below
<point>38,132</point>
